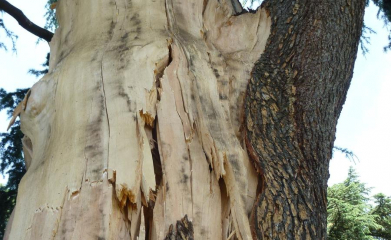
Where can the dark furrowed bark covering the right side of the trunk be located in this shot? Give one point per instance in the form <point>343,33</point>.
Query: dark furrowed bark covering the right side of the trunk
<point>293,103</point>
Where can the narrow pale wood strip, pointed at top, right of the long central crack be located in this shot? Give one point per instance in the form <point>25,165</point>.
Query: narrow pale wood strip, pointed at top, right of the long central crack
<point>174,156</point>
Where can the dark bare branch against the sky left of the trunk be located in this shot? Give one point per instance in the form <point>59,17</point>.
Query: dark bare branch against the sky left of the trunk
<point>24,21</point>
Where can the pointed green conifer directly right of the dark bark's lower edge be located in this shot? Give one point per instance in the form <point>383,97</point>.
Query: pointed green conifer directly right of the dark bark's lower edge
<point>348,210</point>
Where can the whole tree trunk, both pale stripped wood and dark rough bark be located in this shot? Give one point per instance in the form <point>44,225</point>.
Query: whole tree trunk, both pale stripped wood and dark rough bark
<point>139,131</point>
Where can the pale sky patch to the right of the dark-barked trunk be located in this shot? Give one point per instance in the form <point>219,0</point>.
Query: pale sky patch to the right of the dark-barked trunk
<point>365,123</point>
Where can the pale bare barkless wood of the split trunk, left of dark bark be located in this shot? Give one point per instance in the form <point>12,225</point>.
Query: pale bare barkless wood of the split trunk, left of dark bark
<point>138,122</point>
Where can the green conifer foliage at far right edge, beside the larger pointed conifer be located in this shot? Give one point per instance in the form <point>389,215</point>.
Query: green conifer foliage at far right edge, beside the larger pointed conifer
<point>383,210</point>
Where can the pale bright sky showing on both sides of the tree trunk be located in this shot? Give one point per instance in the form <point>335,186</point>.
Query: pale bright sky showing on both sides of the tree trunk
<point>364,126</point>
